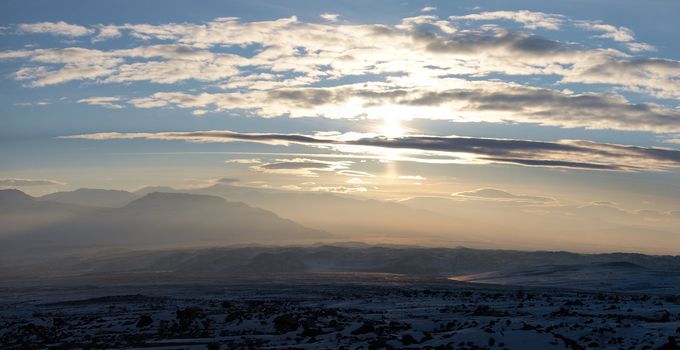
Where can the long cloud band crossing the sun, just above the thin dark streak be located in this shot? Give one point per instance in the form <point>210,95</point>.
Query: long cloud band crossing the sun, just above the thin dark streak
<point>479,101</point>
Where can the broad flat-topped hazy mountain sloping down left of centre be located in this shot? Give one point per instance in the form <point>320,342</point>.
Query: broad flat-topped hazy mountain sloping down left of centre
<point>160,220</point>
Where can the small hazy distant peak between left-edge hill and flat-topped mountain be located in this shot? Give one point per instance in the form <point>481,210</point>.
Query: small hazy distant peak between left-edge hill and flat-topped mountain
<point>93,197</point>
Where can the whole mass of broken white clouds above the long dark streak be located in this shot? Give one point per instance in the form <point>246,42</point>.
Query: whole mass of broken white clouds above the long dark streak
<point>413,62</point>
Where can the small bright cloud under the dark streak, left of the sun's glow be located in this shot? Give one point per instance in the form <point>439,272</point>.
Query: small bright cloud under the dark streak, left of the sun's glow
<point>301,166</point>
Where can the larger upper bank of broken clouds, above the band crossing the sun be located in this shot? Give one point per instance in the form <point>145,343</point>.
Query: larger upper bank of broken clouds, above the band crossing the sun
<point>295,53</point>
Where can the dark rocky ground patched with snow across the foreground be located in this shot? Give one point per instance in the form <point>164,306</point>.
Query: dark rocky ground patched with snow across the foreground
<point>344,311</point>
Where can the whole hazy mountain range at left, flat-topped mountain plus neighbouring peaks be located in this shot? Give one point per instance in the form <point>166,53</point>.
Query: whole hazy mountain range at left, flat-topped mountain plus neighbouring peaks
<point>41,227</point>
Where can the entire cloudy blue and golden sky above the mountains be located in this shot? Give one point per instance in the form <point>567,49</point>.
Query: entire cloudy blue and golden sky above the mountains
<point>544,105</point>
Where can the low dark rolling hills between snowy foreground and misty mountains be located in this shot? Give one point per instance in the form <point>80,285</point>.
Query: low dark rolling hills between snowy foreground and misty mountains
<point>613,271</point>
